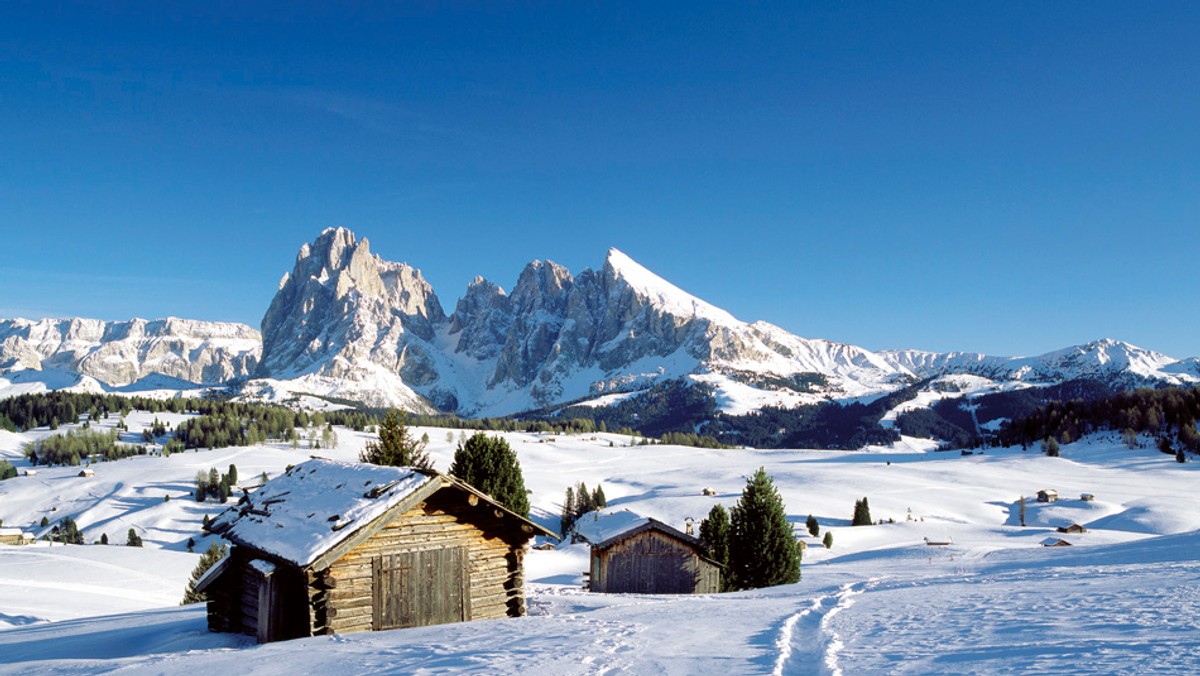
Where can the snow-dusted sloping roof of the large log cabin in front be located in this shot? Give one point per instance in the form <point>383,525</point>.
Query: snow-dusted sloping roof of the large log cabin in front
<point>320,505</point>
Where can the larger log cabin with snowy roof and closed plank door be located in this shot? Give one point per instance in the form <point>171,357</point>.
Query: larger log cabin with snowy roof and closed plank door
<point>334,547</point>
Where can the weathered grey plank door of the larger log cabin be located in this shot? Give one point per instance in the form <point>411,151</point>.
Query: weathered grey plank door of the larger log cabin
<point>416,589</point>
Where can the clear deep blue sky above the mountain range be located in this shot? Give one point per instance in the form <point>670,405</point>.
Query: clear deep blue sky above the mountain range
<point>1007,178</point>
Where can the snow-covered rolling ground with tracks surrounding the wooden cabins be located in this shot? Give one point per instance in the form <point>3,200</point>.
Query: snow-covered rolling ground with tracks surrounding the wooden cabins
<point>1121,600</point>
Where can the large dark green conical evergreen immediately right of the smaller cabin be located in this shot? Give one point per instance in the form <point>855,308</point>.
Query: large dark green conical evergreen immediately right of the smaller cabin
<point>763,546</point>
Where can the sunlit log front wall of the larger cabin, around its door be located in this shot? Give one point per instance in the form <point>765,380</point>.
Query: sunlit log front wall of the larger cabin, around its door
<point>341,596</point>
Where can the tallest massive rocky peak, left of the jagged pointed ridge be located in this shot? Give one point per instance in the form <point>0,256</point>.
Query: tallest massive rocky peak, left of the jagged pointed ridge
<point>343,309</point>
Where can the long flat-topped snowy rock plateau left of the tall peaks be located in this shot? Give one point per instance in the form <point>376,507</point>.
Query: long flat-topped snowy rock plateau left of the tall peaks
<point>119,354</point>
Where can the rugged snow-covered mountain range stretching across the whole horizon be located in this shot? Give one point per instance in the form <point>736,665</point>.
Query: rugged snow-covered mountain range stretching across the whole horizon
<point>349,325</point>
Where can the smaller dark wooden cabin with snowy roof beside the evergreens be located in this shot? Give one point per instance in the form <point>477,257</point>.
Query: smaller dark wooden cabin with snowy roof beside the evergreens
<point>633,554</point>
